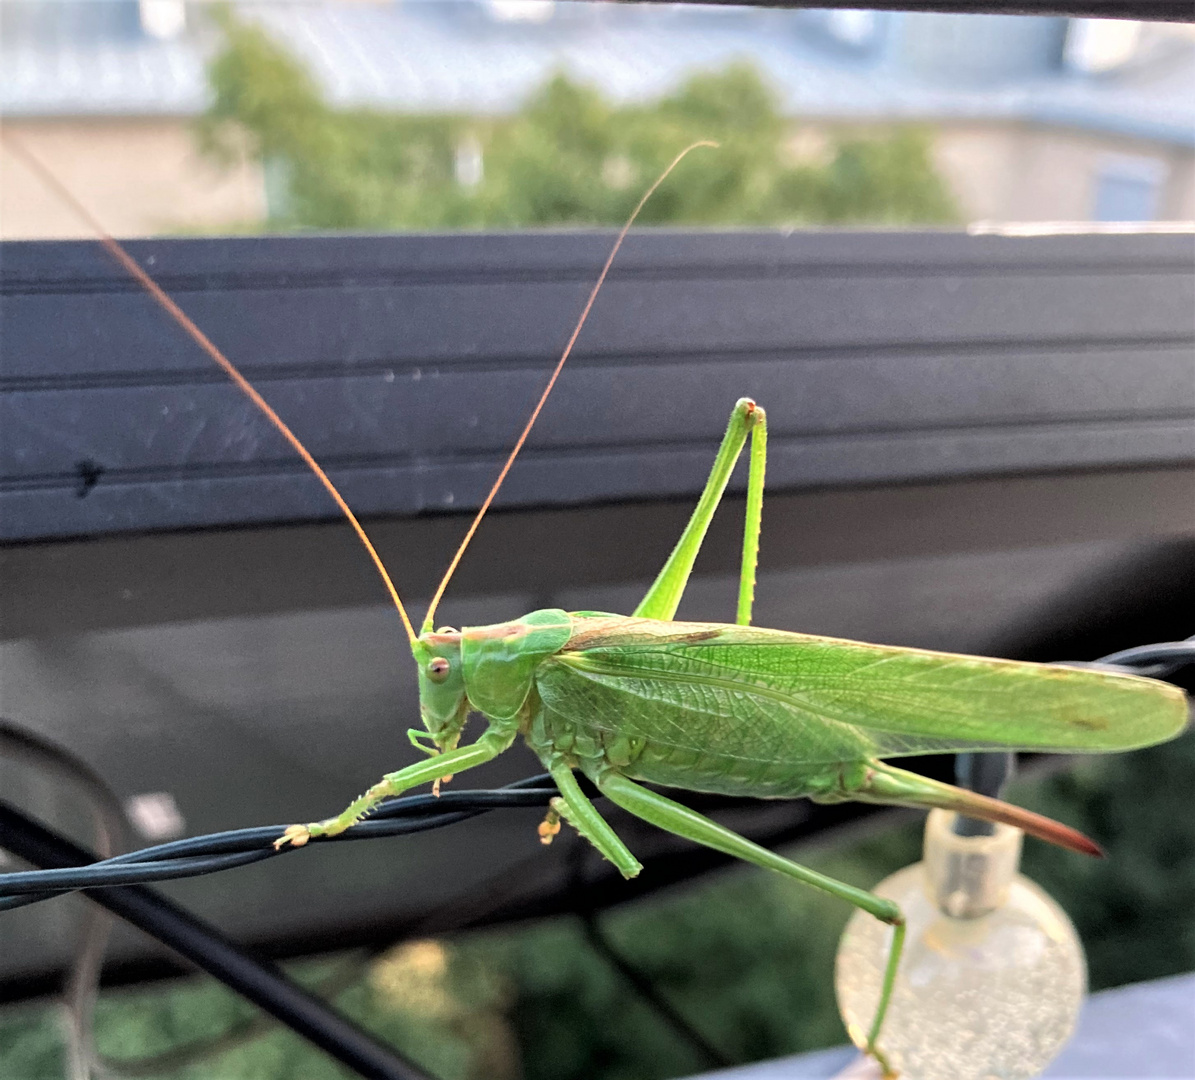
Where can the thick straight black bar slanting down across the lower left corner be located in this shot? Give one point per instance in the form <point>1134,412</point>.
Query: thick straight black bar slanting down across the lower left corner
<point>205,947</point>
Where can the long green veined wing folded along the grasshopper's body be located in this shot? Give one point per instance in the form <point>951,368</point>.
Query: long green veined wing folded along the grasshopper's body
<point>802,699</point>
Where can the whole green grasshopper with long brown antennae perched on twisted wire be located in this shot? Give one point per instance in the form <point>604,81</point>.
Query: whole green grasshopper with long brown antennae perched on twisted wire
<point>728,709</point>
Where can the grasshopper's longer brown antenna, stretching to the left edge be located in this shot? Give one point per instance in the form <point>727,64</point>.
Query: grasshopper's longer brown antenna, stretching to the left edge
<point>206,345</point>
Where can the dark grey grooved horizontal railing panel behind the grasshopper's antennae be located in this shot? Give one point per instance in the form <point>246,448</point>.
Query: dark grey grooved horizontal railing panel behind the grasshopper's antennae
<point>408,365</point>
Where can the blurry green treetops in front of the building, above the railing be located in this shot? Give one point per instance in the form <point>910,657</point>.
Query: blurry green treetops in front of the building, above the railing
<point>568,157</point>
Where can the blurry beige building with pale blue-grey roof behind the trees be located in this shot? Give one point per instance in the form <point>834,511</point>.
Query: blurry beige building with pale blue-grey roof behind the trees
<point>1029,119</point>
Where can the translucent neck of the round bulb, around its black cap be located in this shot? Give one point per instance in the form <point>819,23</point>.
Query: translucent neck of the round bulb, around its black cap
<point>969,876</point>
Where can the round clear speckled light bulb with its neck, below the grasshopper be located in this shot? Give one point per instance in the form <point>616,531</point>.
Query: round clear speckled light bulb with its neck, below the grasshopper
<point>994,973</point>
